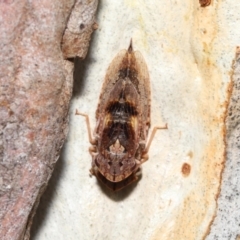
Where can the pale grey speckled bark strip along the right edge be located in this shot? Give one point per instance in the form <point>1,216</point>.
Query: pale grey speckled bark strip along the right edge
<point>227,221</point>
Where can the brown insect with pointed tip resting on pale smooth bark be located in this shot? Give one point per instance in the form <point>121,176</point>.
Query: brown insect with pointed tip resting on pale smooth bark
<point>119,146</point>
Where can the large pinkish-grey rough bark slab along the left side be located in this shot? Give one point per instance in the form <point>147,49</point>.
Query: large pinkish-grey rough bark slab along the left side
<point>35,90</point>
